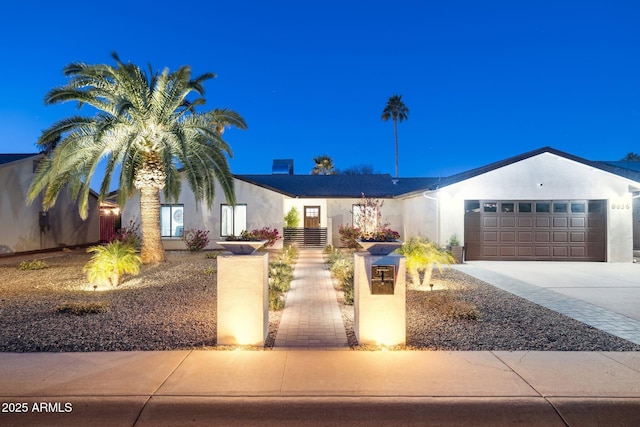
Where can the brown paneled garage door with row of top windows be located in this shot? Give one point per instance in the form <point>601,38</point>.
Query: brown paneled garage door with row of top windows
<point>555,230</point>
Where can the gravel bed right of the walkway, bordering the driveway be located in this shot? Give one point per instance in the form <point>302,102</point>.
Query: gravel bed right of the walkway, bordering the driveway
<point>464,313</point>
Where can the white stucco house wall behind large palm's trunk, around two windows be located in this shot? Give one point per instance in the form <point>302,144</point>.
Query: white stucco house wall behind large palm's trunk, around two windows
<point>264,209</point>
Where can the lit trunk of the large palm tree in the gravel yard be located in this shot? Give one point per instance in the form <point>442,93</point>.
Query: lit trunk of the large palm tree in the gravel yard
<point>152,251</point>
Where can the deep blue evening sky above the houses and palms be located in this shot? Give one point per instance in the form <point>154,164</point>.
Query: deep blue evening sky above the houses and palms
<point>483,80</point>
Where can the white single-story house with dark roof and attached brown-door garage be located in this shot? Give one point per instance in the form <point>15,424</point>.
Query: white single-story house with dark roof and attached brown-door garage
<point>540,205</point>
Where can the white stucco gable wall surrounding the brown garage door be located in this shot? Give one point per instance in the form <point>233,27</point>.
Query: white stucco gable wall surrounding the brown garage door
<point>545,177</point>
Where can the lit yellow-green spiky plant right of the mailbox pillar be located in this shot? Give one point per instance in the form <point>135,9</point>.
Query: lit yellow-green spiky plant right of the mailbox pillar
<point>421,256</point>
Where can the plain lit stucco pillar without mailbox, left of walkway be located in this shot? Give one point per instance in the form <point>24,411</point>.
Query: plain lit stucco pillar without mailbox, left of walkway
<point>243,299</point>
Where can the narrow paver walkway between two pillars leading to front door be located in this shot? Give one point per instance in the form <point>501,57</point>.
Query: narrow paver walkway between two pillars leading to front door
<point>311,318</point>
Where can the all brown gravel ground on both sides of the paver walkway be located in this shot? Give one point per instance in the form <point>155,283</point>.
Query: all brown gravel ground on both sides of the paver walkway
<point>172,306</point>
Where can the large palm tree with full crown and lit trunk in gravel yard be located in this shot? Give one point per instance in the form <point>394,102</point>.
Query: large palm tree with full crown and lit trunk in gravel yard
<point>145,128</point>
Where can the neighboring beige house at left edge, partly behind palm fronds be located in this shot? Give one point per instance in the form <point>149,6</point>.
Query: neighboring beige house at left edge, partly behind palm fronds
<point>27,228</point>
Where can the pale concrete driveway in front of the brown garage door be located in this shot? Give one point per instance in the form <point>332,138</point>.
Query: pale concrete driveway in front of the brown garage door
<point>612,286</point>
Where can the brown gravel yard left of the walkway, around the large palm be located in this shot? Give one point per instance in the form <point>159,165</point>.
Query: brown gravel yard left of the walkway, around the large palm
<point>166,307</point>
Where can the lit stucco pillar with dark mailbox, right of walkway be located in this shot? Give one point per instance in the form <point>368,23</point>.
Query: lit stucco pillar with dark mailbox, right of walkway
<point>379,319</point>
